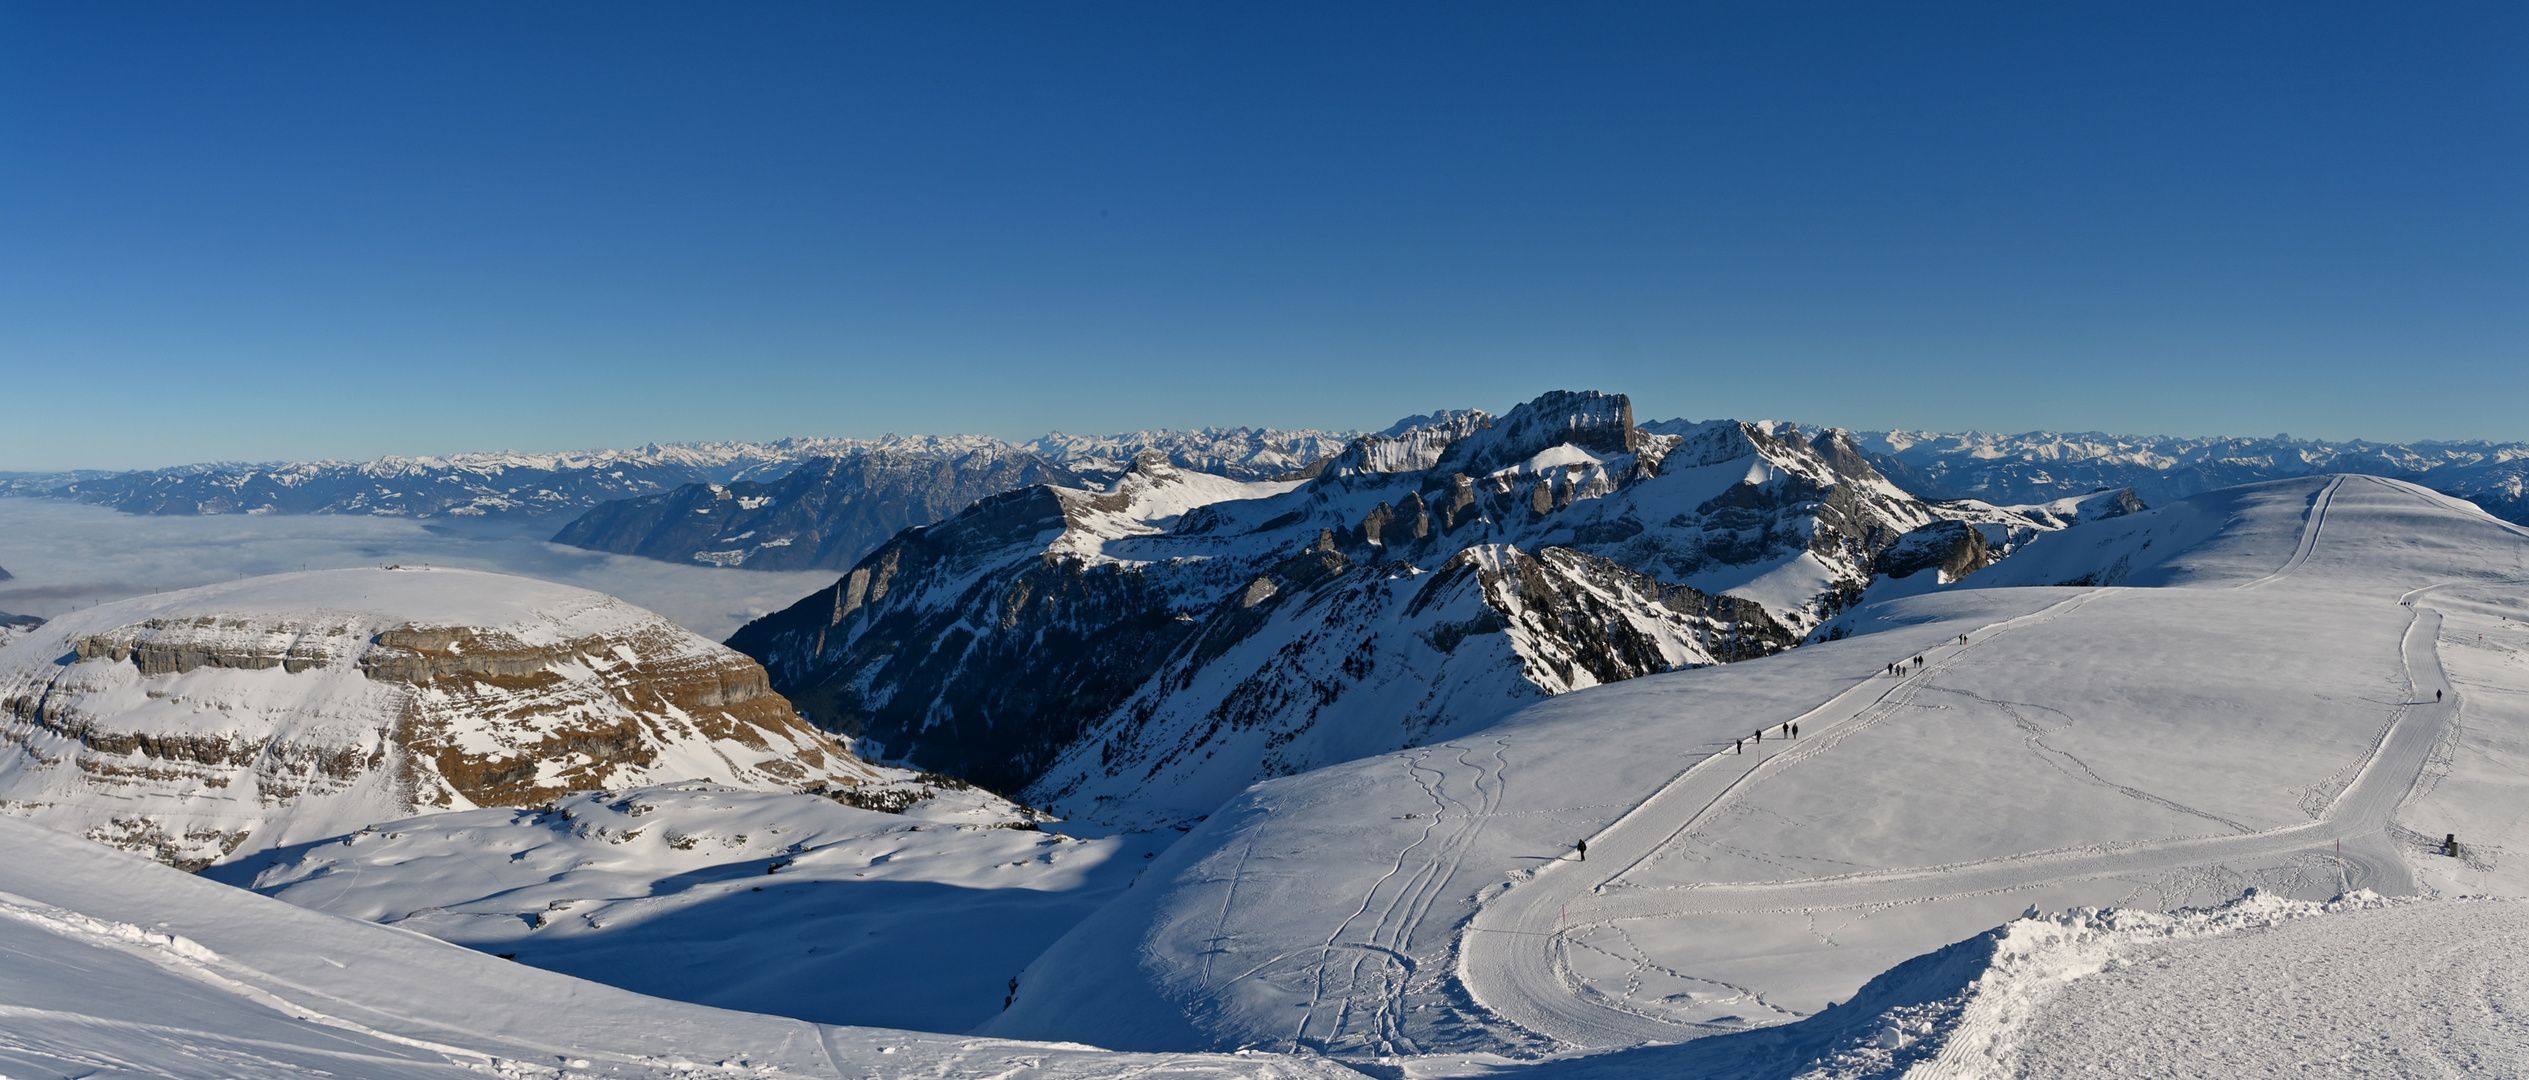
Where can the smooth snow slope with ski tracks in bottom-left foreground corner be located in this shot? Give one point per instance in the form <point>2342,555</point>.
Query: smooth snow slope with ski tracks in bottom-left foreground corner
<point>118,967</point>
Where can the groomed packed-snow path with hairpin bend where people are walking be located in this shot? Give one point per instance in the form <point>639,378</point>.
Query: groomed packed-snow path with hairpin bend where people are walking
<point>1516,955</point>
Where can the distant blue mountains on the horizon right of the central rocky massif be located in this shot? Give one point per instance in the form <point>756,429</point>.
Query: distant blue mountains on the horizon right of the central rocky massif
<point>2045,467</point>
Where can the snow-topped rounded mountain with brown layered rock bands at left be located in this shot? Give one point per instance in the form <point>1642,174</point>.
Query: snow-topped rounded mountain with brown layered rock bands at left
<point>249,715</point>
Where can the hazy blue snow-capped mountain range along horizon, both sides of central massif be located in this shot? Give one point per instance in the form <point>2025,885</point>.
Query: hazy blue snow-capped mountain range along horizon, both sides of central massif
<point>828,502</point>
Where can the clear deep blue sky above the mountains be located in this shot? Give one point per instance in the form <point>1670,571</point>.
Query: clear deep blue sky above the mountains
<point>340,231</point>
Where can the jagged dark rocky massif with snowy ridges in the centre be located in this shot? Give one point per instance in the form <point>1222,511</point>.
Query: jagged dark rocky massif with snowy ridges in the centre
<point>1149,649</point>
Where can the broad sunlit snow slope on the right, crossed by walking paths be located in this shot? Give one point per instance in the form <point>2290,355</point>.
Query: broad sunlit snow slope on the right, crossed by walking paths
<point>2272,715</point>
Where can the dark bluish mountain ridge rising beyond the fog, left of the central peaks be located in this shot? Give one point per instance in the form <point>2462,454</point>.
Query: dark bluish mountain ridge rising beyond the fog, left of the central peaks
<point>826,515</point>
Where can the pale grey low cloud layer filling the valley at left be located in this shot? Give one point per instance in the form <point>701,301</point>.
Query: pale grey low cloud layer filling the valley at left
<point>70,555</point>
